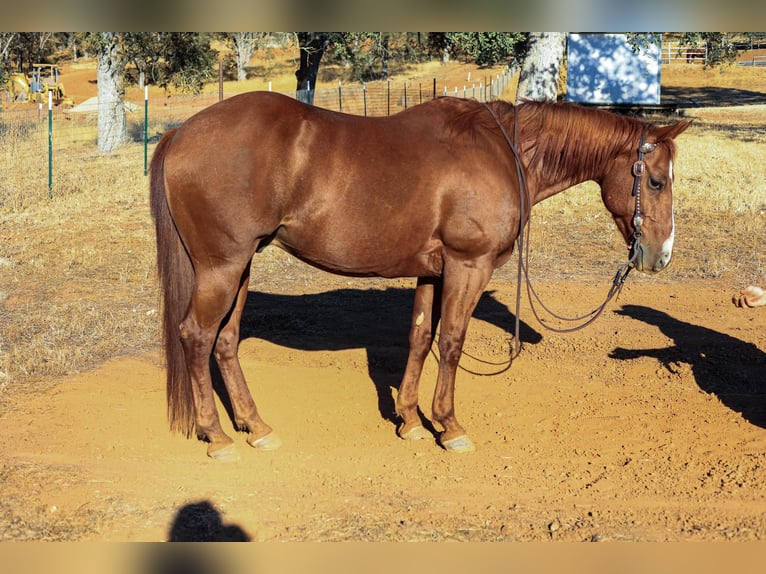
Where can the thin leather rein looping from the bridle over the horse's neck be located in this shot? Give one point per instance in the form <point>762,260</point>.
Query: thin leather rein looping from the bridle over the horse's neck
<point>638,170</point>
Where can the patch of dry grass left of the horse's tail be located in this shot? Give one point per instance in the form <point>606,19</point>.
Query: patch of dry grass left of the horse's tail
<point>77,282</point>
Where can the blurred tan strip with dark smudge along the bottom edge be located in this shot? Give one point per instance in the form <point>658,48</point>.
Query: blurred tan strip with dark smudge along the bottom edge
<point>379,558</point>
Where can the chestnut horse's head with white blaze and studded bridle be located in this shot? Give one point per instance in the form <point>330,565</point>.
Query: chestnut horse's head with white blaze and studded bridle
<point>638,191</point>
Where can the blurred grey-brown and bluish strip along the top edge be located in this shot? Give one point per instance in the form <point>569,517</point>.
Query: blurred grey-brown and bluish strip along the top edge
<point>395,15</point>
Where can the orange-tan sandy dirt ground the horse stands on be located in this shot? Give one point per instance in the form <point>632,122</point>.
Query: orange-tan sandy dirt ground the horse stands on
<point>650,425</point>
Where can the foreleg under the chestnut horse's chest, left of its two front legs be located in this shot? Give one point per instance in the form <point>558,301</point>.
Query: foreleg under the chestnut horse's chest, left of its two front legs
<point>425,318</point>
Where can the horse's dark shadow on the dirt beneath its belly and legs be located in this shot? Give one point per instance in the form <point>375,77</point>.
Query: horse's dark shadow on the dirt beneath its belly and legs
<point>373,319</point>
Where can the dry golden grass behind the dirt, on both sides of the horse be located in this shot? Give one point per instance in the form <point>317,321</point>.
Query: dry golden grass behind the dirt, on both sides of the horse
<point>77,282</point>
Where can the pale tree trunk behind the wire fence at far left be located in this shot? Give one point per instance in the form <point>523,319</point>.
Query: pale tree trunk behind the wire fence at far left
<point>112,124</point>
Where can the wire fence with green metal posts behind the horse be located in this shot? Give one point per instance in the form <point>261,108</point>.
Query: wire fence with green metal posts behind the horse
<point>40,149</point>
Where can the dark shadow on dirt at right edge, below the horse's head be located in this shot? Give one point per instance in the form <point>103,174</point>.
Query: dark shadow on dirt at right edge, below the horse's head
<point>733,370</point>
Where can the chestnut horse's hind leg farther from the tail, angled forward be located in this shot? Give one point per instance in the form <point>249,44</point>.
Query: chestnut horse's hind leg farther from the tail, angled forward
<point>245,412</point>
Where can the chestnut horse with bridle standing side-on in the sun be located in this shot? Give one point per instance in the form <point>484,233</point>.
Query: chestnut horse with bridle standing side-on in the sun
<point>438,192</point>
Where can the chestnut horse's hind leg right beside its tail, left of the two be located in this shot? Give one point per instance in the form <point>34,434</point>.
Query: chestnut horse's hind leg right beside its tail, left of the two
<point>211,300</point>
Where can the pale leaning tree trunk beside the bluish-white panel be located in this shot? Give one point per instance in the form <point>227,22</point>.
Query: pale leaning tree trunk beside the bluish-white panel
<point>541,67</point>
